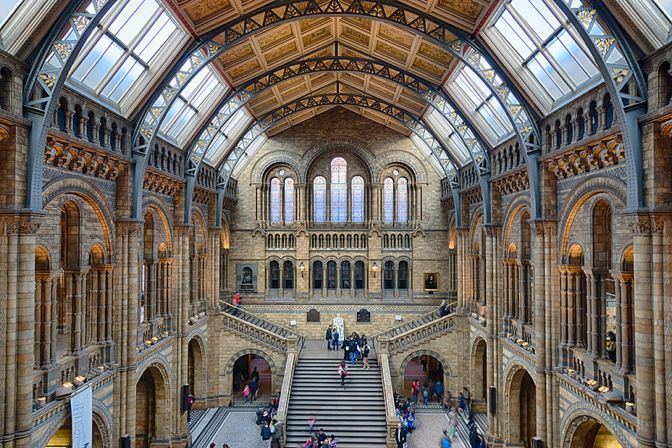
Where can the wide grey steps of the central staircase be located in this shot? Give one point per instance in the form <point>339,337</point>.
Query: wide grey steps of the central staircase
<point>354,414</point>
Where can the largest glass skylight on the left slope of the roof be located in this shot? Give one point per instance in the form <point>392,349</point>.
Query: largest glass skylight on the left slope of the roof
<point>126,46</point>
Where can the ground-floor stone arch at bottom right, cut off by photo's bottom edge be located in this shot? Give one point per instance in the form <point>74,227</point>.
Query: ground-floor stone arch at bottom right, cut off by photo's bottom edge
<point>577,420</point>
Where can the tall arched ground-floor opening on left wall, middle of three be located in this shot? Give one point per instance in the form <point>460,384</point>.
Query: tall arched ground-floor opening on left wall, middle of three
<point>153,403</point>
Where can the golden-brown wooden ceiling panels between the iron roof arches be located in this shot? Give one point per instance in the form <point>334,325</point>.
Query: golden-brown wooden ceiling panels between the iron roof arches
<point>319,37</point>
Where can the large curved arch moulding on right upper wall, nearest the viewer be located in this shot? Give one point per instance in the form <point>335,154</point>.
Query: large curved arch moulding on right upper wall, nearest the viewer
<point>579,195</point>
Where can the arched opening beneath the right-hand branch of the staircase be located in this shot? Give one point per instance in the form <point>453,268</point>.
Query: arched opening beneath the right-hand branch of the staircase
<point>425,366</point>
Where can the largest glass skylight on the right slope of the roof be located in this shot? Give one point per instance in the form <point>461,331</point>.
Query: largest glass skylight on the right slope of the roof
<point>544,47</point>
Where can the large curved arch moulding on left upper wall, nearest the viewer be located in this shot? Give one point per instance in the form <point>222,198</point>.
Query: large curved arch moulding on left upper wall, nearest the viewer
<point>90,194</point>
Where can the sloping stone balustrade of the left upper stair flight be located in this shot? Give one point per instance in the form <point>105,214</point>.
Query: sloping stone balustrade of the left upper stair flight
<point>258,329</point>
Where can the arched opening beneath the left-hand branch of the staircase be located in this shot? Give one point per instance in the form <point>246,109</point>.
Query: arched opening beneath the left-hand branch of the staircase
<point>241,368</point>
